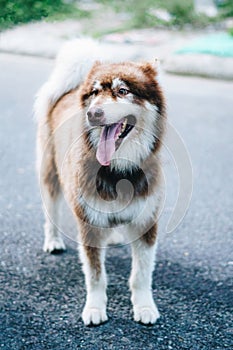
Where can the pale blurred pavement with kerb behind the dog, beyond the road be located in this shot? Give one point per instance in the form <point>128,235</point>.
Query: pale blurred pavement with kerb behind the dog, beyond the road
<point>44,39</point>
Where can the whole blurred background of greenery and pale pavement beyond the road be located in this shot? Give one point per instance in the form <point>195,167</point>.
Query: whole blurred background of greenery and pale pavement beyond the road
<point>175,31</point>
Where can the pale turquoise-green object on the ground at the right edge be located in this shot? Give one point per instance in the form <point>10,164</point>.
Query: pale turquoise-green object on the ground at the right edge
<point>220,44</point>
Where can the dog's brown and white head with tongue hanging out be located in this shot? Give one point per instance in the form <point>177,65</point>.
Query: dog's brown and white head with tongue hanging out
<point>123,106</point>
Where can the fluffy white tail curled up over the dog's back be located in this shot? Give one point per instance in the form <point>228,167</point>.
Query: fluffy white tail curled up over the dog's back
<point>71,66</point>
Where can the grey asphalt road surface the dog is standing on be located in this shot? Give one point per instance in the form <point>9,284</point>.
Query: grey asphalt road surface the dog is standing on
<point>42,295</point>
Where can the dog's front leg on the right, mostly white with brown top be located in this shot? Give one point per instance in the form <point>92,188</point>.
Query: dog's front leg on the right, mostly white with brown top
<point>143,256</point>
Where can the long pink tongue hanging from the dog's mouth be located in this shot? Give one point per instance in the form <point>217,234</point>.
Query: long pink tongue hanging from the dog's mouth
<point>106,146</point>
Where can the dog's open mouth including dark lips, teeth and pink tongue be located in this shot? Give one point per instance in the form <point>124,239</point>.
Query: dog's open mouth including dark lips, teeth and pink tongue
<point>111,137</point>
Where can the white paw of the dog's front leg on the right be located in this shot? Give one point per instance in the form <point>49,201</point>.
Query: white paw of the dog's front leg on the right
<point>146,314</point>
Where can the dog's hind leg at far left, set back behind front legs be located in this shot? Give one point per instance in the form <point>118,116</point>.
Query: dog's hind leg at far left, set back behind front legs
<point>50,190</point>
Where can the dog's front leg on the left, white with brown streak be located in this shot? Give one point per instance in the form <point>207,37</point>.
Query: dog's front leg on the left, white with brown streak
<point>92,258</point>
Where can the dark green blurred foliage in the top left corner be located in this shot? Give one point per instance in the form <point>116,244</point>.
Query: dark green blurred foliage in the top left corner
<point>22,11</point>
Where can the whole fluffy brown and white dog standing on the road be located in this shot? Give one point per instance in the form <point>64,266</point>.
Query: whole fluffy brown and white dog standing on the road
<point>100,127</point>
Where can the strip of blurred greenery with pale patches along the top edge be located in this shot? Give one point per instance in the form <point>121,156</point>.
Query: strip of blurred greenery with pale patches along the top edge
<point>121,15</point>
